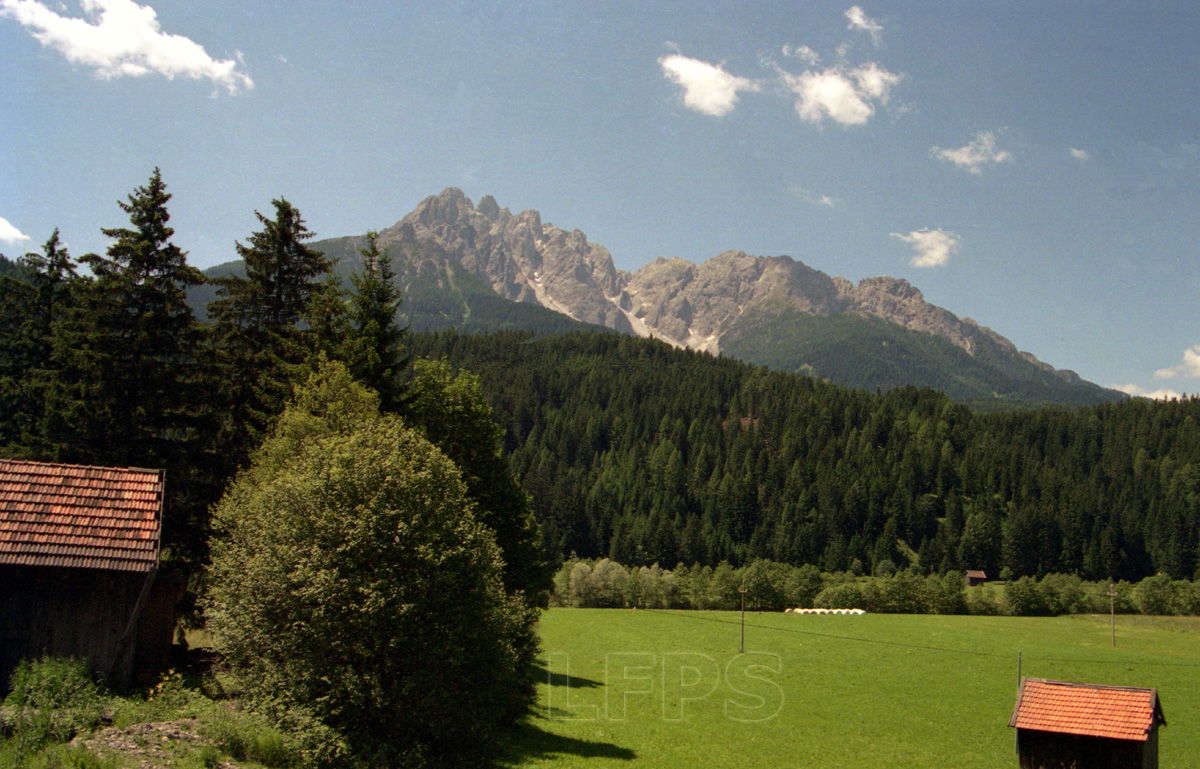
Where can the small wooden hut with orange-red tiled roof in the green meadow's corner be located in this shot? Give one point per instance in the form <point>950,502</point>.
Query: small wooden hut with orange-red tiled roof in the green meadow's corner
<point>1061,725</point>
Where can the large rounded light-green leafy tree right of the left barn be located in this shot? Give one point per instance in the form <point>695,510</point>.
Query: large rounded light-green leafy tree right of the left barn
<point>355,584</point>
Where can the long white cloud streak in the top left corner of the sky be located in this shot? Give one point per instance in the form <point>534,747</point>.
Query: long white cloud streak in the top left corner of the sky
<point>119,39</point>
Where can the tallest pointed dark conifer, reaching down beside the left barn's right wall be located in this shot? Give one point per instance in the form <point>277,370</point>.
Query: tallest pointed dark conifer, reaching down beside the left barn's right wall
<point>129,382</point>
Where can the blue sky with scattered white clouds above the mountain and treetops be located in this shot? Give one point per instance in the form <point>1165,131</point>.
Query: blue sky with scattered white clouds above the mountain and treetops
<point>1033,166</point>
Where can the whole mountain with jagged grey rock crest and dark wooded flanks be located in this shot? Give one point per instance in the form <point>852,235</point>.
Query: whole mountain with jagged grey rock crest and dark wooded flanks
<point>483,268</point>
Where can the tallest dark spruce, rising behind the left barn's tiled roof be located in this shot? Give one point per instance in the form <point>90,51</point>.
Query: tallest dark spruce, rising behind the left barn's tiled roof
<point>131,344</point>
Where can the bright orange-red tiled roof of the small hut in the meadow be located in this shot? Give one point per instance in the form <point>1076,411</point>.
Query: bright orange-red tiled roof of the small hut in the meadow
<point>1123,713</point>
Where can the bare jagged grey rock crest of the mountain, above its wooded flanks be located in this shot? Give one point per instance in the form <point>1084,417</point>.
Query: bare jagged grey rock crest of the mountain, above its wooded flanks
<point>688,305</point>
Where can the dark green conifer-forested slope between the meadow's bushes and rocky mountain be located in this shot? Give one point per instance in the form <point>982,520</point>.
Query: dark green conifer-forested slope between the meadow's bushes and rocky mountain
<point>643,453</point>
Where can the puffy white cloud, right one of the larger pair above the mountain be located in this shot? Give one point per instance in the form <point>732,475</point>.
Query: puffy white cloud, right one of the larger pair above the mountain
<point>842,95</point>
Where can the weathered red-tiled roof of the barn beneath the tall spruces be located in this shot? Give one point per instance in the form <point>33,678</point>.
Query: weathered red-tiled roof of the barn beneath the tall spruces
<point>80,516</point>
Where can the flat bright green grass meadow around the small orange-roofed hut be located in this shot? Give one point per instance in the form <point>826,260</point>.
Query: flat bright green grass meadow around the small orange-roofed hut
<point>669,689</point>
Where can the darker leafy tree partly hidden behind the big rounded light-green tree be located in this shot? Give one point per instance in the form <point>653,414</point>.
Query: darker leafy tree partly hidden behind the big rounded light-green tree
<point>452,411</point>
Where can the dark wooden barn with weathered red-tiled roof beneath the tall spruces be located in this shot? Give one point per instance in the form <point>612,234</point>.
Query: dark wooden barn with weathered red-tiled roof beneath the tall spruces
<point>80,569</point>
